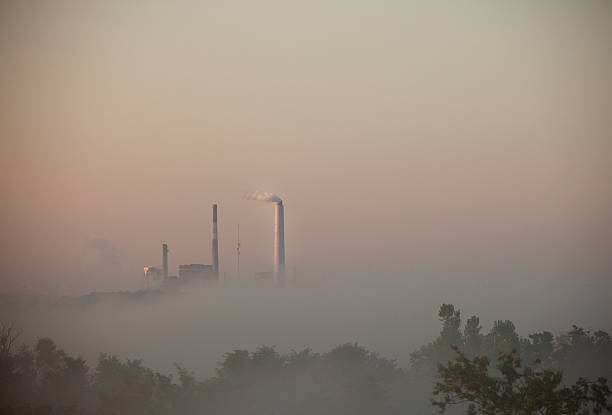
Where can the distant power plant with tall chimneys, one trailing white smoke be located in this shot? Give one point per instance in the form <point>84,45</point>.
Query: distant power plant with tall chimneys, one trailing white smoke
<point>156,277</point>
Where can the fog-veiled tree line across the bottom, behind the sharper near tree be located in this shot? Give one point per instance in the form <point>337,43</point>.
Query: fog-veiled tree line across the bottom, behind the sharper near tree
<point>346,380</point>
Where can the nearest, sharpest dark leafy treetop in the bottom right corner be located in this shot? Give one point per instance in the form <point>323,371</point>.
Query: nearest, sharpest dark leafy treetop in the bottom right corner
<point>517,390</point>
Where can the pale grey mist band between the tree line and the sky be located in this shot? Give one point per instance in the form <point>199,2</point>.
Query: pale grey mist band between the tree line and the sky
<point>392,313</point>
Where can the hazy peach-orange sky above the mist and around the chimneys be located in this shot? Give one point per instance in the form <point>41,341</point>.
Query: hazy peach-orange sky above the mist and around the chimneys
<point>398,133</point>
